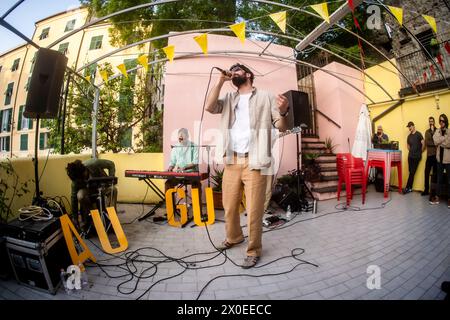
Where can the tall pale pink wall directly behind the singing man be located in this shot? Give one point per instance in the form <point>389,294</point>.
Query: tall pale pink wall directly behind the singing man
<point>186,80</point>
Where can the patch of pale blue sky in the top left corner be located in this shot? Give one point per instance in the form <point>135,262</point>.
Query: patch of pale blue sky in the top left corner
<point>25,15</point>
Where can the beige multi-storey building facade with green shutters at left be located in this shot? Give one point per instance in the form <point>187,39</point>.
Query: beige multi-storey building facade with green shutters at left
<point>17,133</point>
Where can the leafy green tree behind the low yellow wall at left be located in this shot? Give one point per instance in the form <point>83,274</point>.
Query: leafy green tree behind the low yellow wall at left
<point>124,104</point>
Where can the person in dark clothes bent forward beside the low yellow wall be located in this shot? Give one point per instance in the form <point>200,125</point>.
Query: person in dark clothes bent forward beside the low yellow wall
<point>80,172</point>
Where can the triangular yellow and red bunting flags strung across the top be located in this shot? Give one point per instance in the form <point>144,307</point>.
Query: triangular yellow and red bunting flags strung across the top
<point>280,18</point>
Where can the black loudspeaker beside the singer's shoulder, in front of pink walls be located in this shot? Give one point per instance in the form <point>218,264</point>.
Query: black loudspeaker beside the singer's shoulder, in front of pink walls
<point>299,107</point>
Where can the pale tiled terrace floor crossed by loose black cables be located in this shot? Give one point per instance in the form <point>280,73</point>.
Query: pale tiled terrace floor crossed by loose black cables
<point>407,241</point>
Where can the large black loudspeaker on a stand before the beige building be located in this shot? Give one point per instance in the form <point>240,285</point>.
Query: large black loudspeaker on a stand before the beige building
<point>45,86</point>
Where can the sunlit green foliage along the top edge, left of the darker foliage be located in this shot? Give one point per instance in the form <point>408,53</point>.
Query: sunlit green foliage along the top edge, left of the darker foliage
<point>158,20</point>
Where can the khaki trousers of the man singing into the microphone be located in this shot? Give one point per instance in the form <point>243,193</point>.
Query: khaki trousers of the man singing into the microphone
<point>238,177</point>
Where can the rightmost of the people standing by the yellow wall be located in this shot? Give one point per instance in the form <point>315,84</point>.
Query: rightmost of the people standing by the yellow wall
<point>442,141</point>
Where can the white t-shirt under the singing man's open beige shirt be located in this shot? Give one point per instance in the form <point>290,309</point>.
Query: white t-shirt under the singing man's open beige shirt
<point>240,132</point>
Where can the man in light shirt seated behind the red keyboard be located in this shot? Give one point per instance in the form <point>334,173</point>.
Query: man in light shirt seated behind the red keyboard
<point>184,158</point>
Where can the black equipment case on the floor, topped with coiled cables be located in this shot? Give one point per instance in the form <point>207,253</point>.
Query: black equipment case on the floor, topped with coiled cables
<point>38,264</point>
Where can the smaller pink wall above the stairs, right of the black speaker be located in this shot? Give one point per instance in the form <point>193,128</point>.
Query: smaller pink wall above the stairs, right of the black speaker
<point>340,102</point>
